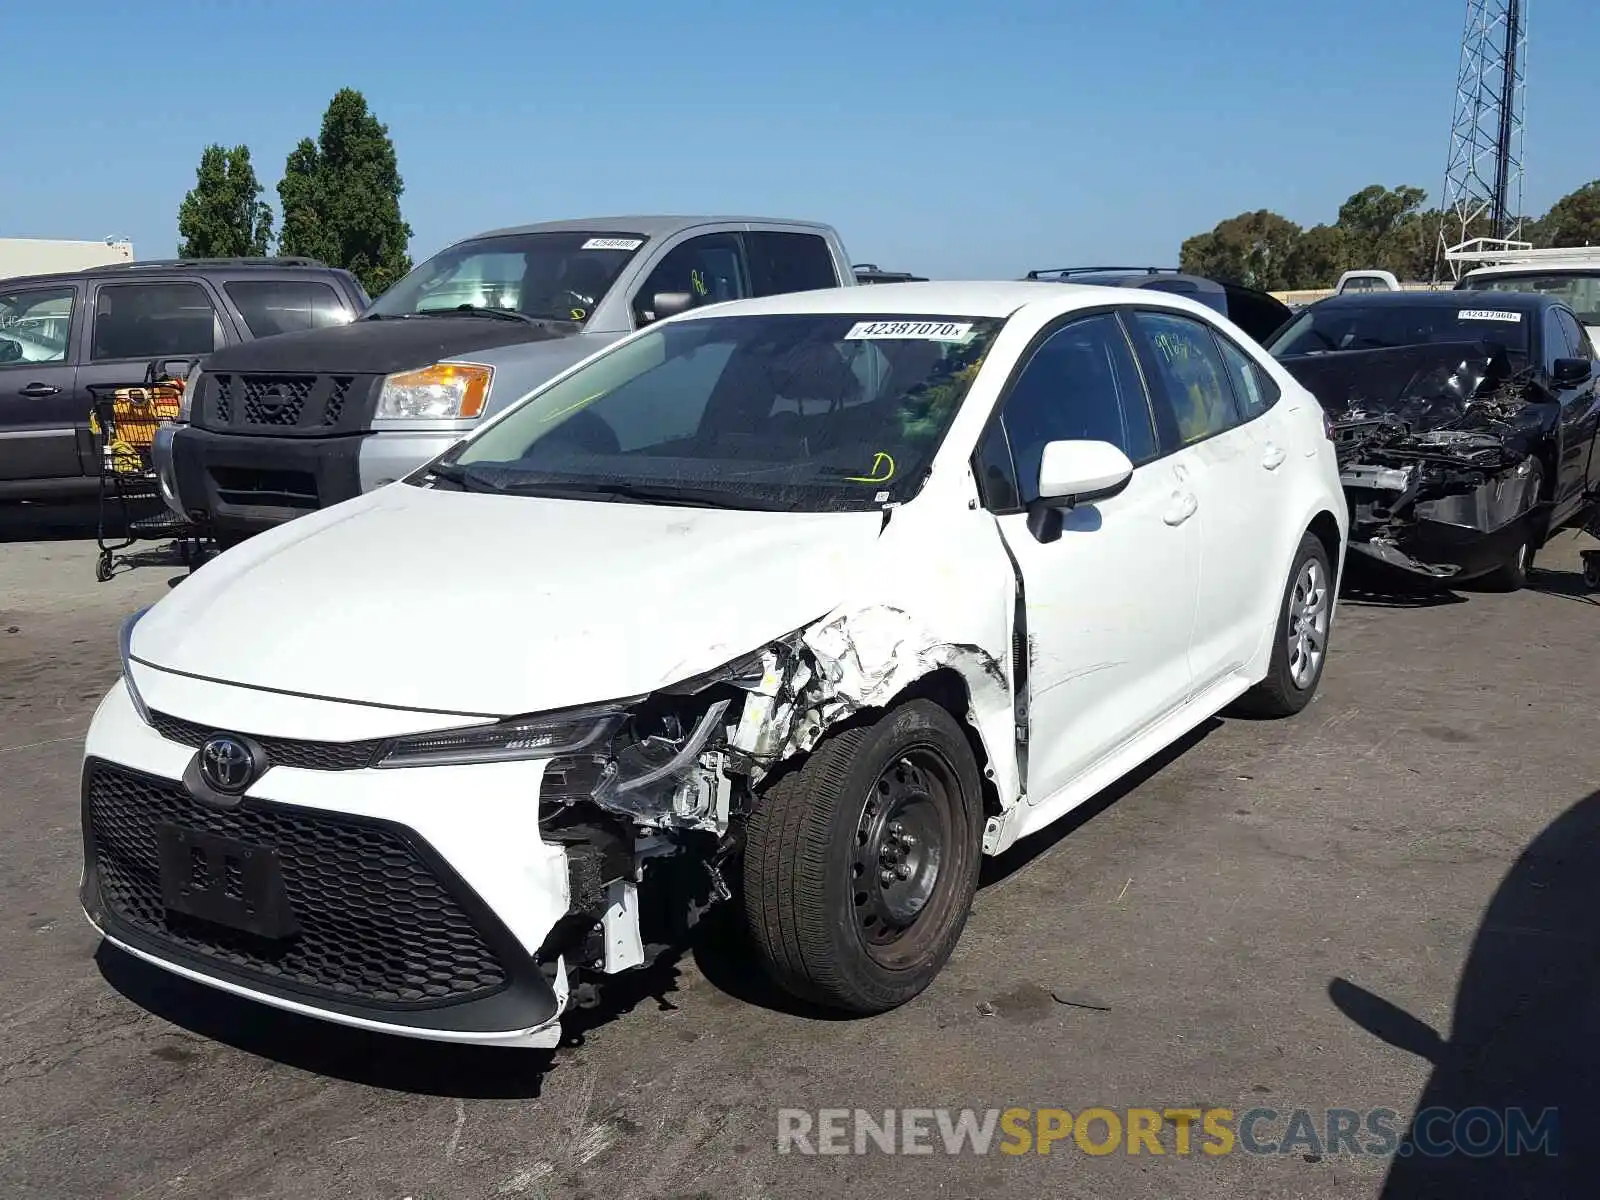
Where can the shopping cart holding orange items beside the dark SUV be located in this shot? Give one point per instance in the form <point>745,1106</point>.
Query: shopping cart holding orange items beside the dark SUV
<point>124,420</point>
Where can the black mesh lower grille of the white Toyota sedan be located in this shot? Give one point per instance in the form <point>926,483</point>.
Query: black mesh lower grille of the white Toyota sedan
<point>375,922</point>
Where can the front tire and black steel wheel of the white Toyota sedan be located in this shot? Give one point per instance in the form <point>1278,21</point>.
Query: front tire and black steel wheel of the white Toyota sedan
<point>862,865</point>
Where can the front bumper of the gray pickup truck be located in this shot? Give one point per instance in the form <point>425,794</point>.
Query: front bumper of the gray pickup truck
<point>252,484</point>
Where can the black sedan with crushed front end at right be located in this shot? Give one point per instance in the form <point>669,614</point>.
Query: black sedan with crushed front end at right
<point>1465,425</point>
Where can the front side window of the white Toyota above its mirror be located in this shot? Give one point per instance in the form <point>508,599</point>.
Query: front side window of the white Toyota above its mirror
<point>1082,383</point>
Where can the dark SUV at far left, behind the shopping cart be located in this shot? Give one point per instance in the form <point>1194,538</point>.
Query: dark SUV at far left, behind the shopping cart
<point>60,335</point>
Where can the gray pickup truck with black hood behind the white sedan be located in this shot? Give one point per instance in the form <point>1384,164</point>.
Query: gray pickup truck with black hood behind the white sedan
<point>274,430</point>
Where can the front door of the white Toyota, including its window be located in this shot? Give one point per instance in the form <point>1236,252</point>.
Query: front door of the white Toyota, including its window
<point>1110,593</point>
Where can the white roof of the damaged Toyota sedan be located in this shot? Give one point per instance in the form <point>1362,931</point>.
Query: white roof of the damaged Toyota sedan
<point>950,298</point>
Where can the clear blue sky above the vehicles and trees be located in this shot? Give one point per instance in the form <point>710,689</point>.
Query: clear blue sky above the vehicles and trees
<point>958,140</point>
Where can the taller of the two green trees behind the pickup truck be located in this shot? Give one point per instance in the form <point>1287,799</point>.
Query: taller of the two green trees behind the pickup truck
<point>342,196</point>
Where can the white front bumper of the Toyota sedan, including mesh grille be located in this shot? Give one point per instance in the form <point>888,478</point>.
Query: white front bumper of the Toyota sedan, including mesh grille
<point>423,897</point>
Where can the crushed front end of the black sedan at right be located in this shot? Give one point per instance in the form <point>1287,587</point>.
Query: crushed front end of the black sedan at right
<point>1442,449</point>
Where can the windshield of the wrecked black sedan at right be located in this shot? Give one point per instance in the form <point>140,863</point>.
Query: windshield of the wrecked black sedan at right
<point>1330,329</point>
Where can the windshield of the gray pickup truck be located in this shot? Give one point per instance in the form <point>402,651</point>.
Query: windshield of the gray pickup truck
<point>545,276</point>
